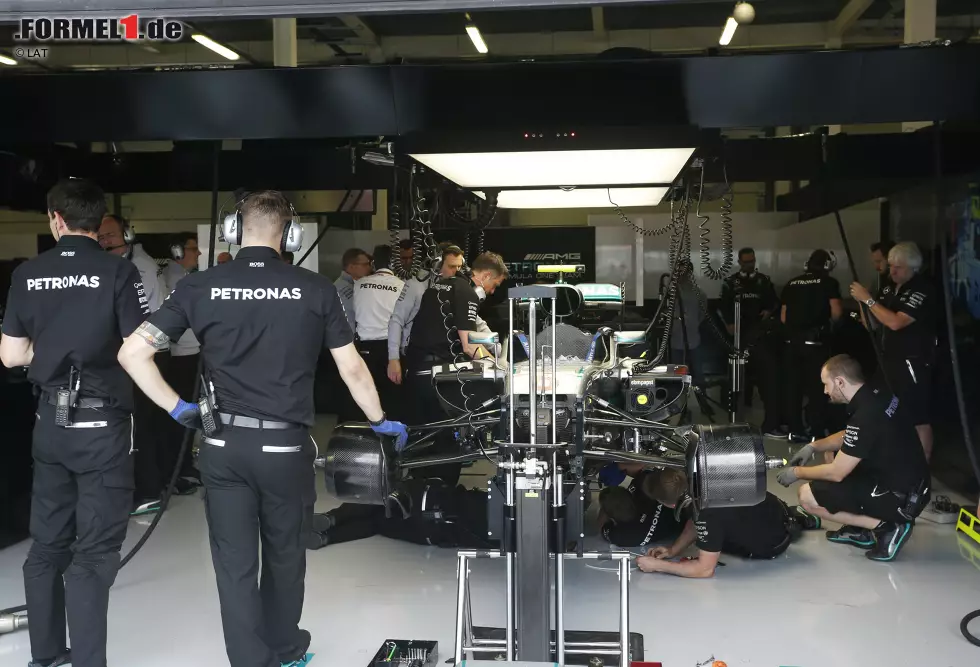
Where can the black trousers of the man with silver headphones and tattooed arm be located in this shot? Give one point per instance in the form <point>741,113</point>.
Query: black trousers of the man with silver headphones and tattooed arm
<point>259,489</point>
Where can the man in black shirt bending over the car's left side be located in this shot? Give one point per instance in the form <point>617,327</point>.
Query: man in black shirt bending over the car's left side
<point>445,321</point>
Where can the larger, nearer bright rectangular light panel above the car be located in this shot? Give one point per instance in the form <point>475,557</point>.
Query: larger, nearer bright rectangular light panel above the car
<point>557,168</point>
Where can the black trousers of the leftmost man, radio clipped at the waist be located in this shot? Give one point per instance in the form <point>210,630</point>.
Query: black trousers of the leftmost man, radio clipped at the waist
<point>83,490</point>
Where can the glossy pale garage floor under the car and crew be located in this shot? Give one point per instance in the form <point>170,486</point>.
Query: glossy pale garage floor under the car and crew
<point>819,605</point>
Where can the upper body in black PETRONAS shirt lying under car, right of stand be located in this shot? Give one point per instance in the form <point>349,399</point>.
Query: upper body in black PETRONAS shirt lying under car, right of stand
<point>629,517</point>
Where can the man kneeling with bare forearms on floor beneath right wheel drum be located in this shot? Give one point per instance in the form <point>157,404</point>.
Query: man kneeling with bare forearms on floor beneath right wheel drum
<point>762,531</point>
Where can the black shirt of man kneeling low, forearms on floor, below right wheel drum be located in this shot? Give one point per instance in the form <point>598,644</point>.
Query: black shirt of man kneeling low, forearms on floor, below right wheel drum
<point>742,531</point>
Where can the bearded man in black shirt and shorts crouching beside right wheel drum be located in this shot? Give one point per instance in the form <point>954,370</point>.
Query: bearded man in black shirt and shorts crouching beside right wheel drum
<point>879,481</point>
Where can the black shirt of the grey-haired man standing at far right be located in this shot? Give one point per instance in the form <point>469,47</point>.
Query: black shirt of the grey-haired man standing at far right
<point>917,299</point>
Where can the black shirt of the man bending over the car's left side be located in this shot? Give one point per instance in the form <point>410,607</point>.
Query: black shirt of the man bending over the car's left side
<point>449,303</point>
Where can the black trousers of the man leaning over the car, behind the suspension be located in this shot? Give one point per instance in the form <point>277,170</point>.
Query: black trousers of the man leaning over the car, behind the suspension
<point>426,408</point>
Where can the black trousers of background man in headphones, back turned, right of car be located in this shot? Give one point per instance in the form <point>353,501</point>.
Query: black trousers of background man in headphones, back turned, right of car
<point>802,367</point>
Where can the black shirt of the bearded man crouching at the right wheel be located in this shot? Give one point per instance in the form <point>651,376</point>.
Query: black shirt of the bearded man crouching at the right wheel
<point>884,439</point>
